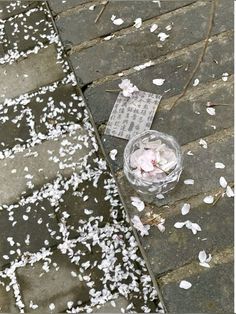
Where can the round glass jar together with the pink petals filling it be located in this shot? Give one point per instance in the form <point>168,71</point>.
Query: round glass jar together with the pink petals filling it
<point>152,182</point>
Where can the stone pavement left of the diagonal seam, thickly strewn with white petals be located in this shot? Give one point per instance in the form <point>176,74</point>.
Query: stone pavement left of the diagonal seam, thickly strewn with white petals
<point>67,244</point>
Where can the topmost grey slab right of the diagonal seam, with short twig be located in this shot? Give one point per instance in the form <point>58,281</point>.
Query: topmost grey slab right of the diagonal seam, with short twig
<point>71,26</point>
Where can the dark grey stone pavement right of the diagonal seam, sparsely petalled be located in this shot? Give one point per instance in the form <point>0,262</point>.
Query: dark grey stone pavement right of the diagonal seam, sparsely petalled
<point>199,49</point>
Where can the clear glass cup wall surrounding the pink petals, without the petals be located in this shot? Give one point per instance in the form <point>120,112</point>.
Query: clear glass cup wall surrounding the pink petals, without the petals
<point>155,185</point>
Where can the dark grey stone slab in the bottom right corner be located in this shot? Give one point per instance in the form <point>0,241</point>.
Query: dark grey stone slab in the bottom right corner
<point>212,292</point>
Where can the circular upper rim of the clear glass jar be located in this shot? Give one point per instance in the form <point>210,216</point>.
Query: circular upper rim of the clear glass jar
<point>162,135</point>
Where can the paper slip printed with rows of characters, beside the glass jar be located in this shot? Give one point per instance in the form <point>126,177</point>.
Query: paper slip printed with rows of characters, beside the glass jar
<point>132,115</point>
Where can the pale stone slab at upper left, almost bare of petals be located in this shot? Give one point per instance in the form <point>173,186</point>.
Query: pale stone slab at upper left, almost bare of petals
<point>32,73</point>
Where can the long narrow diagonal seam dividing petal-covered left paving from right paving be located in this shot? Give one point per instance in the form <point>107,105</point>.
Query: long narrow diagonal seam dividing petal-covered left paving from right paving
<point>142,251</point>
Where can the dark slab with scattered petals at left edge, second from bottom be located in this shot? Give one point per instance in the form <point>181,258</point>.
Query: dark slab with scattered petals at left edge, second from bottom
<point>26,219</point>
